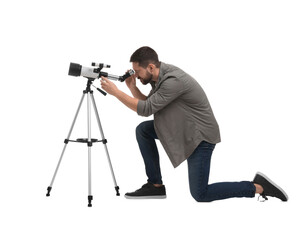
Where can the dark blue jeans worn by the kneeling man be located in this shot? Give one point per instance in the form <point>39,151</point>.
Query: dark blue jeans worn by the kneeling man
<point>198,169</point>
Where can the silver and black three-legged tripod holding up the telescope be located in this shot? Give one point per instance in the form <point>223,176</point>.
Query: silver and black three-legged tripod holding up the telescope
<point>89,141</point>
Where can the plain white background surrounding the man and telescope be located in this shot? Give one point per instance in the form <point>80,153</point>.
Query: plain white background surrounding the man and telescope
<point>249,56</point>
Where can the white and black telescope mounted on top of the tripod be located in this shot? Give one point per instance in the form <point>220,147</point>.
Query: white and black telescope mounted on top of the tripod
<point>77,70</point>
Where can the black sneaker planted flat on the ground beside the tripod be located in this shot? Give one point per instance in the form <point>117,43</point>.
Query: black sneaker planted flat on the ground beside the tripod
<point>148,191</point>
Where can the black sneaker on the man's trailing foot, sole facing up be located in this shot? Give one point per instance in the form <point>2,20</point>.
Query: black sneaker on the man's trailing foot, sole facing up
<point>270,188</point>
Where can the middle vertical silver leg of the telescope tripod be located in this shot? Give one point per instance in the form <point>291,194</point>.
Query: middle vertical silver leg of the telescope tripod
<point>90,197</point>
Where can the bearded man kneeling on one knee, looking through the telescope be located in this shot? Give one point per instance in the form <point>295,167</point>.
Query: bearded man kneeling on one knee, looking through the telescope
<point>185,125</point>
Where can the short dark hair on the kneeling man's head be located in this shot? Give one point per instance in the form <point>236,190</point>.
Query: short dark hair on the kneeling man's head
<point>144,56</point>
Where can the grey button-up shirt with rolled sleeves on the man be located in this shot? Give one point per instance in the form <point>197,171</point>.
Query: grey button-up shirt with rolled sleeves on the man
<point>183,116</point>
